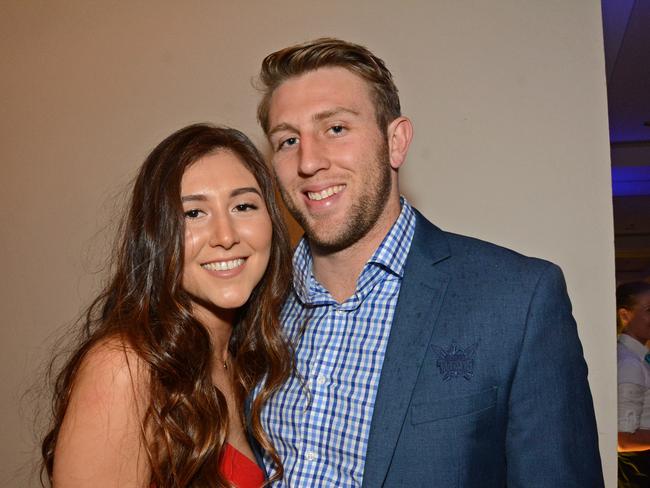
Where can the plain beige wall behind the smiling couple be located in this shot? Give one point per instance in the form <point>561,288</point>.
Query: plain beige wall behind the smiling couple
<point>507,97</point>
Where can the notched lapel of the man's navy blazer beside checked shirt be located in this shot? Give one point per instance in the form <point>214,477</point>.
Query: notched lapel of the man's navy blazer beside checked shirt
<point>420,297</point>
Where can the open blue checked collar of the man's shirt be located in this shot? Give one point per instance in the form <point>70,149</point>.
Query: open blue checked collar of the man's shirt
<point>390,255</point>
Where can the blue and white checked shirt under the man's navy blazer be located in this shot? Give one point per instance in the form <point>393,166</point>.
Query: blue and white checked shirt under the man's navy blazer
<point>320,428</point>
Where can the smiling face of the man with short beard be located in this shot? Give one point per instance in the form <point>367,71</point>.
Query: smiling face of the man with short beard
<point>329,156</point>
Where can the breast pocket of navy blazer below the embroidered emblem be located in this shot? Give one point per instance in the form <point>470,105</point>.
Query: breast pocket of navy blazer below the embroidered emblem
<point>472,404</point>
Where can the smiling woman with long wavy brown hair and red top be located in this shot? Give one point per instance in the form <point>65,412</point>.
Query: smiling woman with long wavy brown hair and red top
<point>188,325</point>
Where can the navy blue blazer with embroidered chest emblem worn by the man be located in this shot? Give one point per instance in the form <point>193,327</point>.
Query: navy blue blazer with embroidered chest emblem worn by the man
<point>484,382</point>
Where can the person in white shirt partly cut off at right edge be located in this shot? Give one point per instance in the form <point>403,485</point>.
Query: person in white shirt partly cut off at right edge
<point>633,316</point>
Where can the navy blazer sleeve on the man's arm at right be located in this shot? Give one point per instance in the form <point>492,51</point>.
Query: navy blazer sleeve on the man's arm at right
<point>551,438</point>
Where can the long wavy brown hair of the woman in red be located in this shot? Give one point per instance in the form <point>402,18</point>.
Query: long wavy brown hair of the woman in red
<point>145,307</point>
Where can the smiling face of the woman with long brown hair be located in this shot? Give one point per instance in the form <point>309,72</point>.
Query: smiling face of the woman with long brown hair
<point>228,231</point>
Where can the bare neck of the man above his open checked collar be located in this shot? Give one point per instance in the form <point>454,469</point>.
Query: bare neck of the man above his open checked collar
<point>339,271</point>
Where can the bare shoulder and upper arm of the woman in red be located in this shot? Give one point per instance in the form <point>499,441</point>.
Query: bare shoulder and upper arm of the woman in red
<point>100,442</point>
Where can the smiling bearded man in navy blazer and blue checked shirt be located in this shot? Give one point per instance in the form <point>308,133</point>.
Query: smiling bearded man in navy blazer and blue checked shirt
<point>424,358</point>
